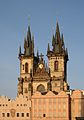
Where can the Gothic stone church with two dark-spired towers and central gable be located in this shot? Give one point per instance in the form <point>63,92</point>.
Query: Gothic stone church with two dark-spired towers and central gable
<point>35,75</point>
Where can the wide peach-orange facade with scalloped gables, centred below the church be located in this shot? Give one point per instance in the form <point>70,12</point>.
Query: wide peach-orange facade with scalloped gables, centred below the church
<point>55,107</point>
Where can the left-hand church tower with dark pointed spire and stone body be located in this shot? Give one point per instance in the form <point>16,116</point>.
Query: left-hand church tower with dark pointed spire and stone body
<point>26,65</point>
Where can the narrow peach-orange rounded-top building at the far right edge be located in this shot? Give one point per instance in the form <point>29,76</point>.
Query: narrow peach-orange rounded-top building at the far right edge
<point>77,104</point>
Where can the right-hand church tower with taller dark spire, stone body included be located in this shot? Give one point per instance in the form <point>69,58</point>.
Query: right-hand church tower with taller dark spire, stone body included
<point>58,58</point>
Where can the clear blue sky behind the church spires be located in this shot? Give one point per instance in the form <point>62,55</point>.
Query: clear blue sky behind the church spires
<point>43,16</point>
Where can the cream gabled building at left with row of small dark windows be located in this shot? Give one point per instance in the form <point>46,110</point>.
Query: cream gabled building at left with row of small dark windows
<point>19,105</point>
